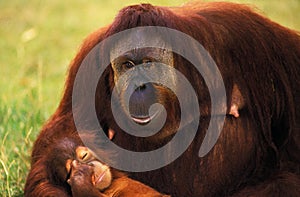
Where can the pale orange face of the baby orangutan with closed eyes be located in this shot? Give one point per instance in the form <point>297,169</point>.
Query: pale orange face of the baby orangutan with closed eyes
<point>86,167</point>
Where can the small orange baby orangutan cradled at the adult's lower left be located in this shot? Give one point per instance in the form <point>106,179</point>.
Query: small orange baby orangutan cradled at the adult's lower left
<point>87,176</point>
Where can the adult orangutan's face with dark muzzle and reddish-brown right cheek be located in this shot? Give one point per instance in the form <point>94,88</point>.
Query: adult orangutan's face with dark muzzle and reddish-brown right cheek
<point>144,95</point>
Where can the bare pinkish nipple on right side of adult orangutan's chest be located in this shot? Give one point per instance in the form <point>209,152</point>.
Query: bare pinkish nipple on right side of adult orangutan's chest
<point>237,101</point>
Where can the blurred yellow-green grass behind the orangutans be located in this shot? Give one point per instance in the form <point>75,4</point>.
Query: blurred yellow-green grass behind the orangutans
<point>38,38</point>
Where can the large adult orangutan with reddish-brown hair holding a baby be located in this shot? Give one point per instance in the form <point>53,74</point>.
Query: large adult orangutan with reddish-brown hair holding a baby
<point>257,153</point>
